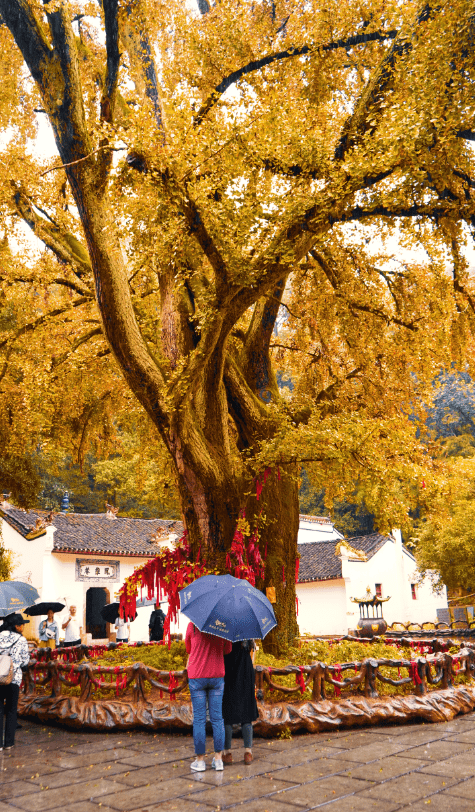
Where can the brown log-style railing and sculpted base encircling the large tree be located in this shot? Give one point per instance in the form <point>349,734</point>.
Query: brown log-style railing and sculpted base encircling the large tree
<point>139,695</point>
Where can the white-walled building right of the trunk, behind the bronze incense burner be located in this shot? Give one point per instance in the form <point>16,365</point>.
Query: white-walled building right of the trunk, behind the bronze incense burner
<point>332,571</point>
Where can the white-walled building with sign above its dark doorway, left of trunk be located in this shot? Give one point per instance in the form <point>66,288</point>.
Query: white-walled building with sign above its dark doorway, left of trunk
<point>82,560</point>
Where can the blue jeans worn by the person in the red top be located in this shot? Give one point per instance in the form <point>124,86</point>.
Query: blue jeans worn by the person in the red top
<point>211,689</point>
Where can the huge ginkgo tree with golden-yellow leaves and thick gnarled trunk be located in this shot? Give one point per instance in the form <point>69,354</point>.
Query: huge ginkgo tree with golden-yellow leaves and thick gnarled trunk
<point>237,190</point>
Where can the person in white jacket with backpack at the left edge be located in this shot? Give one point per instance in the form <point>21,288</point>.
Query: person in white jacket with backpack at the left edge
<point>13,643</point>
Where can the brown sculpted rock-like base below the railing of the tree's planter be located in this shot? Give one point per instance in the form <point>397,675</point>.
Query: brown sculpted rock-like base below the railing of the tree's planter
<point>435,706</point>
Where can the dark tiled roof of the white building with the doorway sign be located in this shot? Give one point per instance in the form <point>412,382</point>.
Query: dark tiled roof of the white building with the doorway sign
<point>94,532</point>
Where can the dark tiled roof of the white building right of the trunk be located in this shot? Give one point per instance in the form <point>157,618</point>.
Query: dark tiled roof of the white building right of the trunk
<point>318,561</point>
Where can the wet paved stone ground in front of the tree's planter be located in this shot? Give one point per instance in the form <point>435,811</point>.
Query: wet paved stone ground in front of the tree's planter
<point>416,767</point>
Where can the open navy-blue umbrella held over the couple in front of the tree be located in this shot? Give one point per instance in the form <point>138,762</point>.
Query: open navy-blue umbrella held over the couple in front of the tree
<point>227,607</point>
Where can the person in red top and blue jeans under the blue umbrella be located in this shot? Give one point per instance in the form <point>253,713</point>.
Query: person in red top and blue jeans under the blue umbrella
<point>206,679</point>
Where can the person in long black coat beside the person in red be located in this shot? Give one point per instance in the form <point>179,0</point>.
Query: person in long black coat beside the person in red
<point>239,698</point>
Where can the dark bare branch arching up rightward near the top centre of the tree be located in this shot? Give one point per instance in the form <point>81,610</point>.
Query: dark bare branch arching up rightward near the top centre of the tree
<point>289,53</point>
